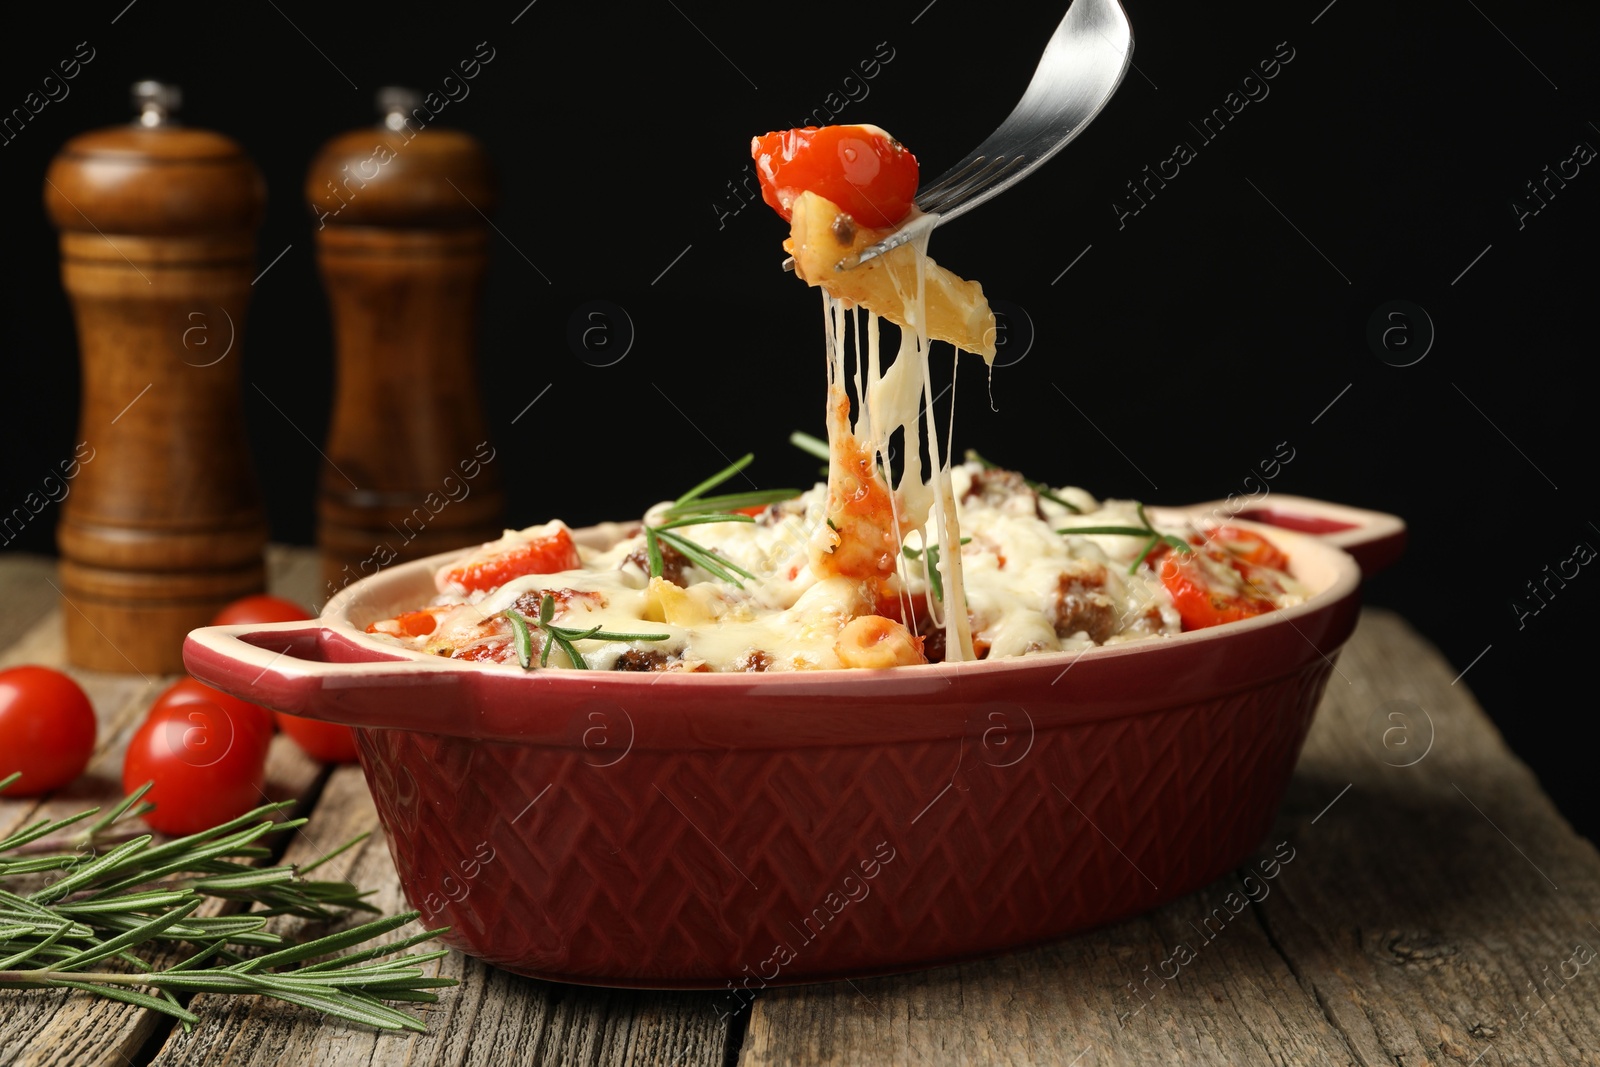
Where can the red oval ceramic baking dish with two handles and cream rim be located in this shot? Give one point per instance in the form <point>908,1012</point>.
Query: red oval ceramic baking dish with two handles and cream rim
<point>698,829</point>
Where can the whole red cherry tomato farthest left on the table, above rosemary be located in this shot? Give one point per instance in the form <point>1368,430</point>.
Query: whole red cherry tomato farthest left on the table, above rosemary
<point>47,730</point>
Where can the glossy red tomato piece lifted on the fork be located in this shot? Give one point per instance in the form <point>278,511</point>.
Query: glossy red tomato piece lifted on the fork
<point>862,169</point>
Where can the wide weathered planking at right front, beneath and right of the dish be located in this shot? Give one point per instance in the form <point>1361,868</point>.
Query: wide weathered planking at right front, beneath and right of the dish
<point>1407,927</point>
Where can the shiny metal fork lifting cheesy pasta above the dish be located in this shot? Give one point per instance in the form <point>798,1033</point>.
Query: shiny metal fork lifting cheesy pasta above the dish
<point>1082,66</point>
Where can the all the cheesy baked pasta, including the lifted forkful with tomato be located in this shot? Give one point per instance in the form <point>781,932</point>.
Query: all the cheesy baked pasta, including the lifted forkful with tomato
<point>879,567</point>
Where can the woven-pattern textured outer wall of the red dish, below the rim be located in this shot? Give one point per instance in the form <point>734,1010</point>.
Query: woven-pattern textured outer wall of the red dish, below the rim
<point>694,868</point>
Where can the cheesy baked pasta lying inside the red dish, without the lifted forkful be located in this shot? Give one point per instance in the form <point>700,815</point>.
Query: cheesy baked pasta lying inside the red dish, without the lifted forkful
<point>1030,589</point>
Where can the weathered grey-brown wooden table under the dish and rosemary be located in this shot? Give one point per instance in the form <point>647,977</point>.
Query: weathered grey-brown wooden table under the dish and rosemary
<point>1438,911</point>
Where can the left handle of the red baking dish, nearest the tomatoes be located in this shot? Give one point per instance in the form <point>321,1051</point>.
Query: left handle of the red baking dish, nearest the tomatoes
<point>314,671</point>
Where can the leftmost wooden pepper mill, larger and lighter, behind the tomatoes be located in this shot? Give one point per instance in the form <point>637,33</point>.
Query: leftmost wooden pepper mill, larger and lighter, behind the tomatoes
<point>164,524</point>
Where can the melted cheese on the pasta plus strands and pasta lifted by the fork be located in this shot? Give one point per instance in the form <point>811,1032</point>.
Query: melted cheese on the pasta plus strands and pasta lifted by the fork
<point>834,556</point>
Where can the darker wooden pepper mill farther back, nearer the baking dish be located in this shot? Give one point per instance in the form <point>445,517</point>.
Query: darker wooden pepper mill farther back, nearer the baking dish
<point>402,238</point>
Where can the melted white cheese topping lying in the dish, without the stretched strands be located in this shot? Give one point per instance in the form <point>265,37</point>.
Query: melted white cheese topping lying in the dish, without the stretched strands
<point>1028,589</point>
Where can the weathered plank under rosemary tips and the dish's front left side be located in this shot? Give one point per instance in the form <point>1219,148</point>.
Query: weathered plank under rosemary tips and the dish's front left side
<point>494,1017</point>
